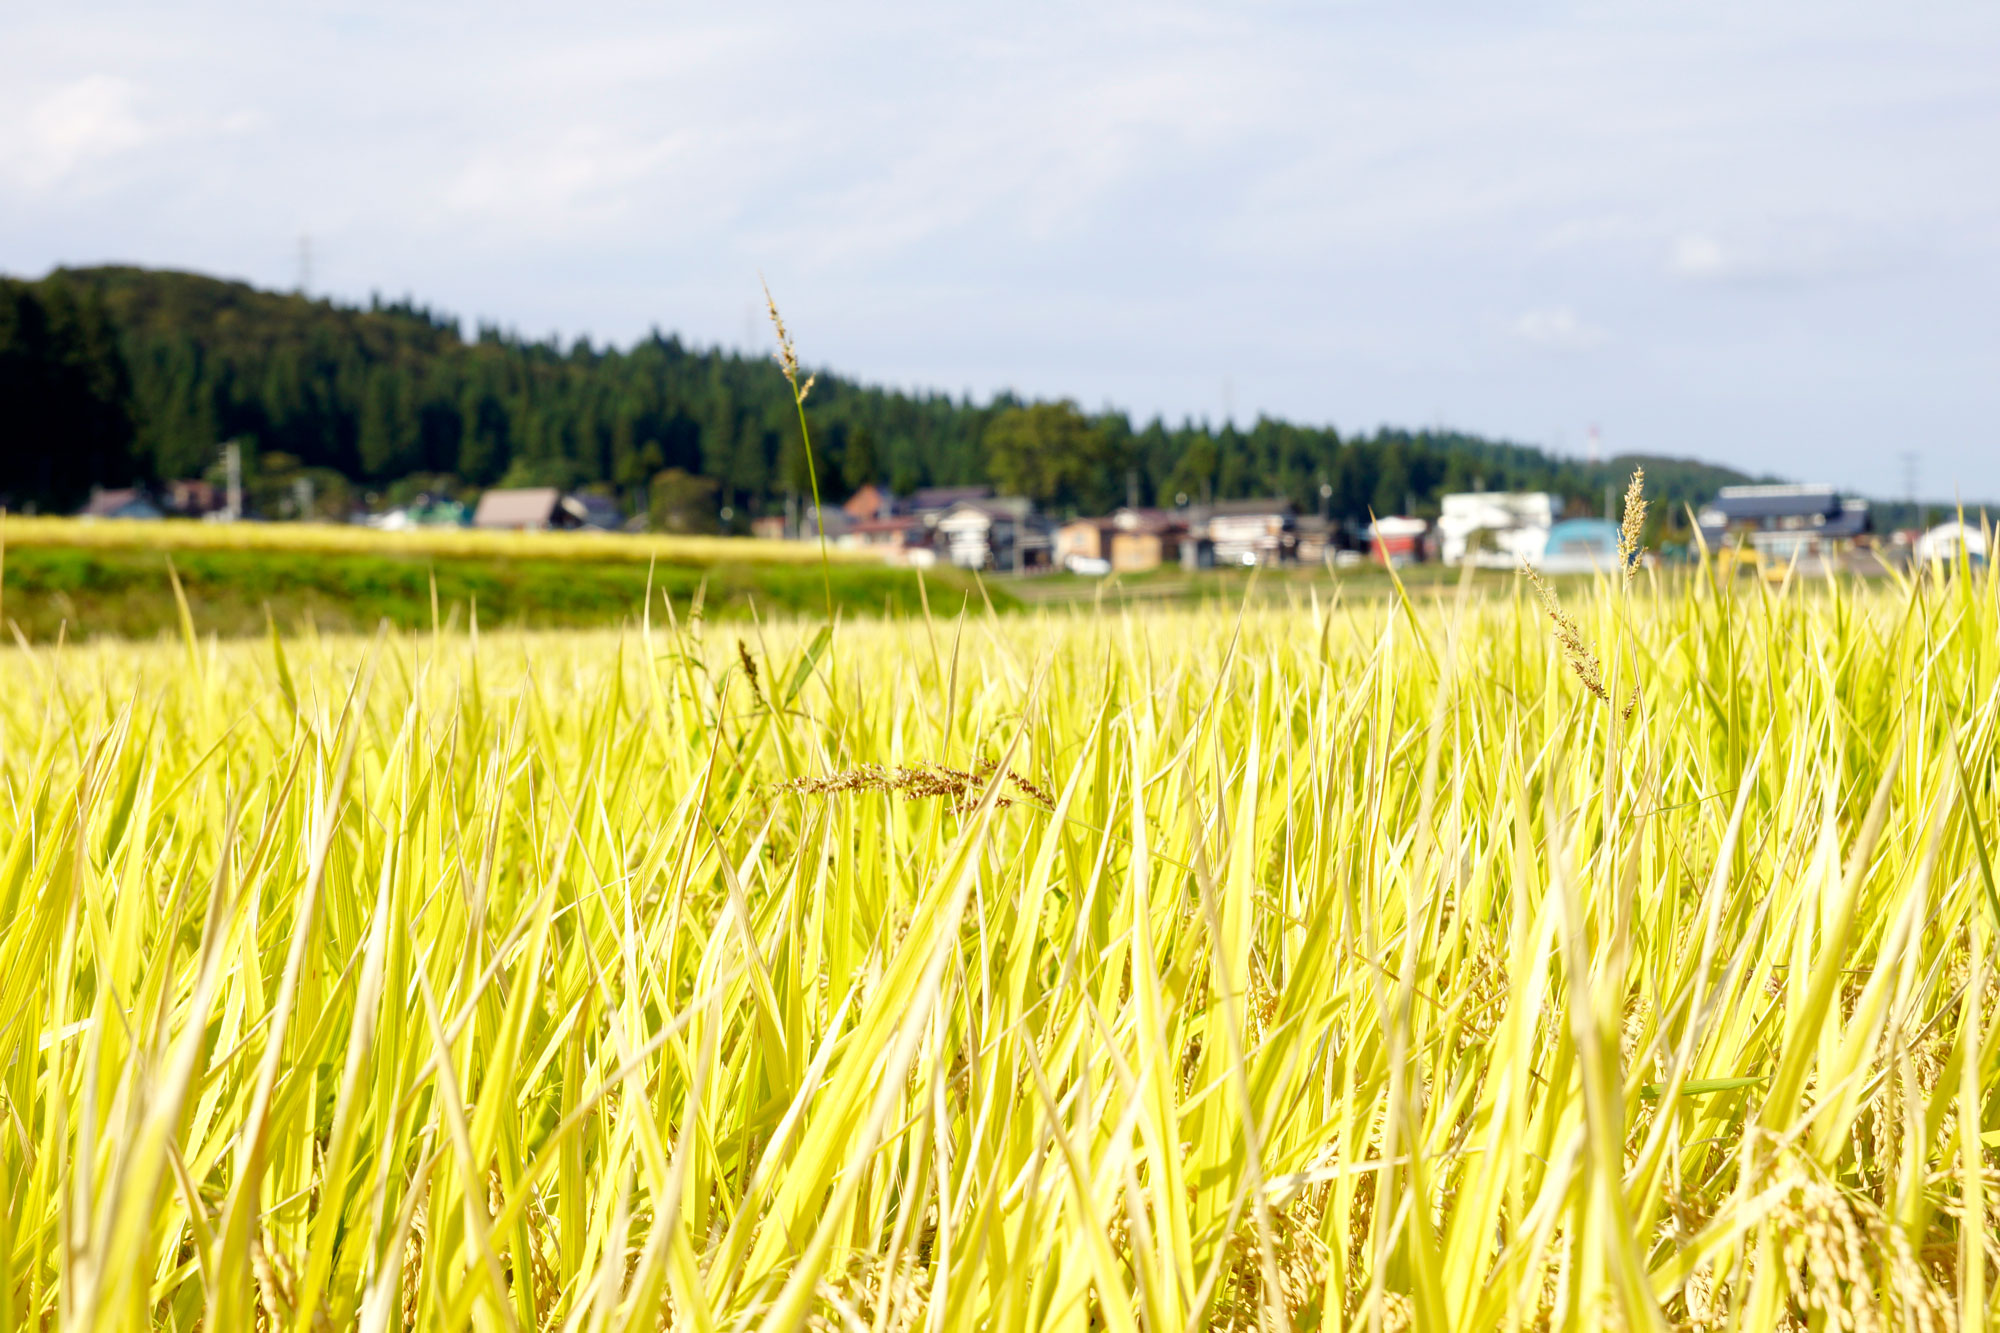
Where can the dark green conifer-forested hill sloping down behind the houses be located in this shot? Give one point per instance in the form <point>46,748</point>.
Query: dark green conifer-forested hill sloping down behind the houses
<point>119,375</point>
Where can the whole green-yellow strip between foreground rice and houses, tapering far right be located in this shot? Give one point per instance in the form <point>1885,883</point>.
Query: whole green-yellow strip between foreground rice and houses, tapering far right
<point>63,577</point>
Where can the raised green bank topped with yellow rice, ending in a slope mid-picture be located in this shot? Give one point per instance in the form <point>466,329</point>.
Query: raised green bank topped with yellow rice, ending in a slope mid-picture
<point>77,579</point>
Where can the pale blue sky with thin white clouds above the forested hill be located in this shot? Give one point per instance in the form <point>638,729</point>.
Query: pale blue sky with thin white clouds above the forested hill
<point>1765,235</point>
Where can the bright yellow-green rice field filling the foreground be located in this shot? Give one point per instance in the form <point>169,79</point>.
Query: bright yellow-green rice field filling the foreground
<point>1341,966</point>
